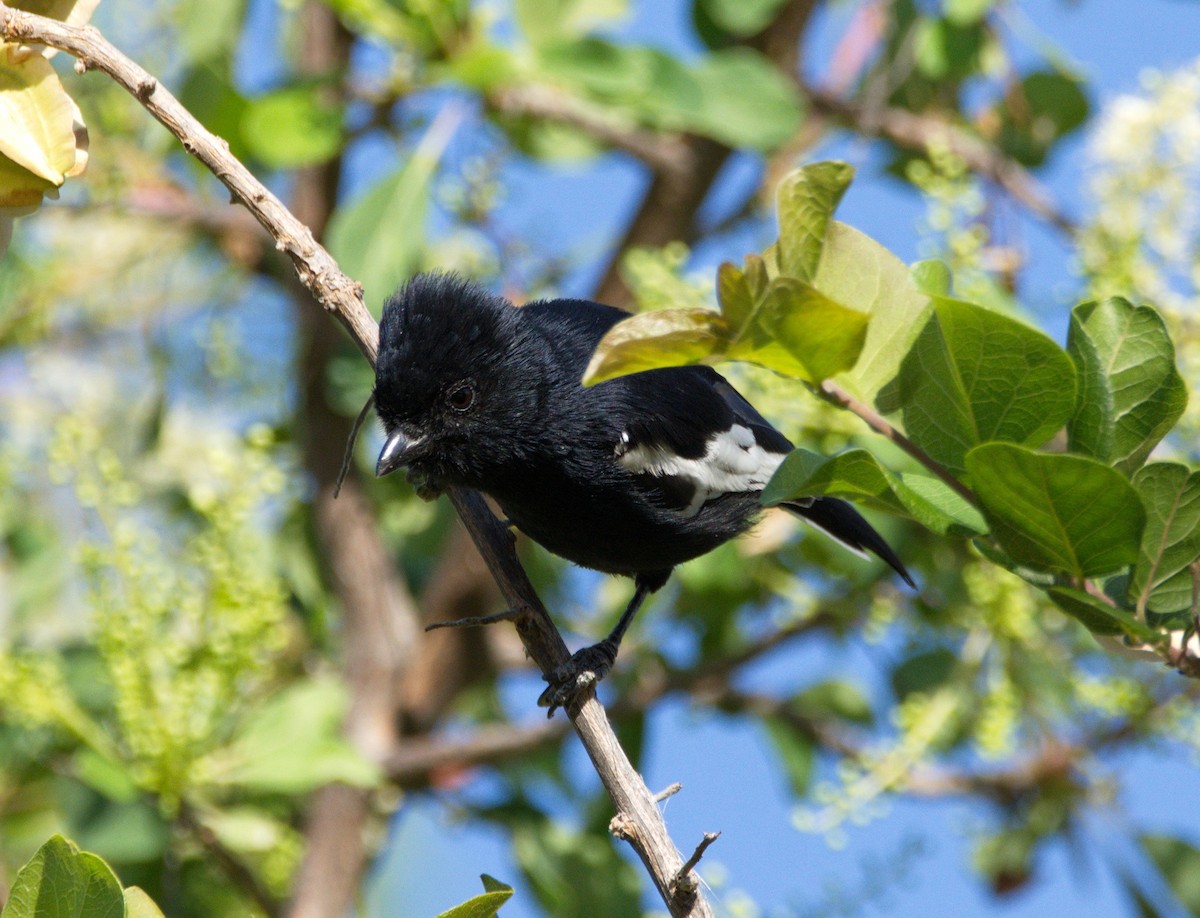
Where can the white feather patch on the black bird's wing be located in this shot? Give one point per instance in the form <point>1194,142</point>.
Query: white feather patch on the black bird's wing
<point>733,463</point>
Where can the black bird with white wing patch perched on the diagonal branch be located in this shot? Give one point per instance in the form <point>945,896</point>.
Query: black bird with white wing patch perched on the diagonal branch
<point>629,477</point>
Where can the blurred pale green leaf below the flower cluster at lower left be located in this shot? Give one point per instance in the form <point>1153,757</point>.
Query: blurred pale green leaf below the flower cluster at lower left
<point>295,745</point>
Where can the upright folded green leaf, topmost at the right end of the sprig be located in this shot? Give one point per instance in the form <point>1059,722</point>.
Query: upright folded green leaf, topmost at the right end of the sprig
<point>1131,394</point>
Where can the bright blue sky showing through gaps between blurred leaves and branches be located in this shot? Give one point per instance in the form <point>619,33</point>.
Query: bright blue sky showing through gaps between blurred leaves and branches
<point>435,862</point>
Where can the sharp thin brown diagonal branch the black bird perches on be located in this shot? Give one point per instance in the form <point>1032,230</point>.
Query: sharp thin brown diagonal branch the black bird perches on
<point>341,297</point>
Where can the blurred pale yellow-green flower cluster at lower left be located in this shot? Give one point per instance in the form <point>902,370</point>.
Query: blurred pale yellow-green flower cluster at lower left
<point>188,615</point>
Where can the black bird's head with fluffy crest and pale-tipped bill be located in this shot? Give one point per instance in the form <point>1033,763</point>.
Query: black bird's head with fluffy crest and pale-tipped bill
<point>454,382</point>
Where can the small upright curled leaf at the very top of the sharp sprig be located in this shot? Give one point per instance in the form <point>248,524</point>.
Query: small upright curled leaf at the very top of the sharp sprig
<point>807,200</point>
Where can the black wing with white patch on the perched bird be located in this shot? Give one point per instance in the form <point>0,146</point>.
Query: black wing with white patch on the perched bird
<point>691,437</point>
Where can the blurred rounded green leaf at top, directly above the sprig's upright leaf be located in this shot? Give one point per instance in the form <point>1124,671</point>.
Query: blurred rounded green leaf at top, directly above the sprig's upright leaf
<point>745,101</point>
